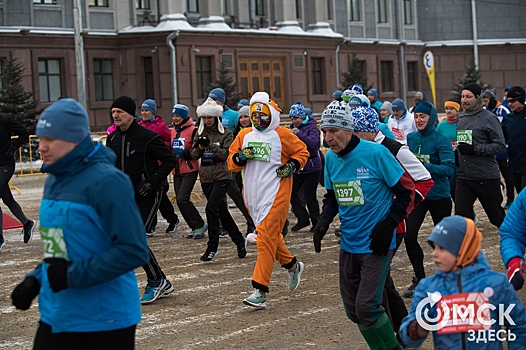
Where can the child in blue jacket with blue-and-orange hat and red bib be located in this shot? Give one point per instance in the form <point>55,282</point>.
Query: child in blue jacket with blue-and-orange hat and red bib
<point>462,269</point>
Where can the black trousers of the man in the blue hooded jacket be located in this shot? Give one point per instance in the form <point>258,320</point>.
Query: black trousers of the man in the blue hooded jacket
<point>117,339</point>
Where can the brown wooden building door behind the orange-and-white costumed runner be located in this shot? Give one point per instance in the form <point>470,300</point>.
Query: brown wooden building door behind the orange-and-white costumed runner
<point>260,74</point>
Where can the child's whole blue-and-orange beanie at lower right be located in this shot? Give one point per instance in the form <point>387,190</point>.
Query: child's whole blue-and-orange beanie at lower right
<point>459,236</point>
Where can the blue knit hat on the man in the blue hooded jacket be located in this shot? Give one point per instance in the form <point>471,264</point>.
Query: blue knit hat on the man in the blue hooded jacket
<point>65,120</point>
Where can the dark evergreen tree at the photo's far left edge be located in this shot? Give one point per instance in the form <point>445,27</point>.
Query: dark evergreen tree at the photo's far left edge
<point>14,100</point>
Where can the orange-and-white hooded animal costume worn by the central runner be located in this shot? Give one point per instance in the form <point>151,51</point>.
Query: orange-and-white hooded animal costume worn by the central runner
<point>267,196</point>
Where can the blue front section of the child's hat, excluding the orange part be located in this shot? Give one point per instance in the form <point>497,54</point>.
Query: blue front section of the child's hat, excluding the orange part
<point>449,233</point>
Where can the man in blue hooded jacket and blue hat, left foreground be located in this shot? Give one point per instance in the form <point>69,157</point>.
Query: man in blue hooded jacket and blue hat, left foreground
<point>93,239</point>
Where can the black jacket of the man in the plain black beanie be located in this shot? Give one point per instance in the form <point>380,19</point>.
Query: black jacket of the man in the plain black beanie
<point>139,152</point>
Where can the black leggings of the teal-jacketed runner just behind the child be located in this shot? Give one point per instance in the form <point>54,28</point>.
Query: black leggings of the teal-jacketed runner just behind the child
<point>439,209</point>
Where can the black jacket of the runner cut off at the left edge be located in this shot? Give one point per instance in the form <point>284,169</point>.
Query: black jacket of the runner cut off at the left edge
<point>9,127</point>
